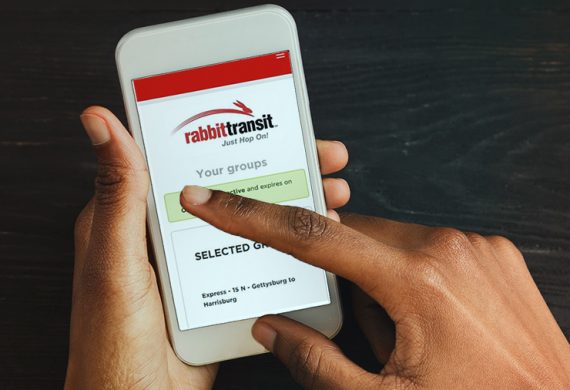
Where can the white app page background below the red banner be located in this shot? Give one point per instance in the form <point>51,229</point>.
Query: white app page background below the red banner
<point>173,163</point>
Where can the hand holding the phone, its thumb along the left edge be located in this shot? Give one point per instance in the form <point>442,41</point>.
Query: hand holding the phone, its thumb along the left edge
<point>118,337</point>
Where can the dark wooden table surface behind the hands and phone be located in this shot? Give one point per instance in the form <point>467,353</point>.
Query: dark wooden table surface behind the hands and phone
<point>454,113</point>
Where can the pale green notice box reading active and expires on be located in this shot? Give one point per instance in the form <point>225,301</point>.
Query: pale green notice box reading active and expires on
<point>277,188</point>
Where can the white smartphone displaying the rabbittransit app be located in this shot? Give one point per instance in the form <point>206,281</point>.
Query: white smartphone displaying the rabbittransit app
<point>220,101</point>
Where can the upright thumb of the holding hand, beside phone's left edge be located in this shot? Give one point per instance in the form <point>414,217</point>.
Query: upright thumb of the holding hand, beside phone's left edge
<point>117,244</point>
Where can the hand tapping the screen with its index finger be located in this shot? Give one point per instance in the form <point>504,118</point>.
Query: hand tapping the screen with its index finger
<point>467,313</point>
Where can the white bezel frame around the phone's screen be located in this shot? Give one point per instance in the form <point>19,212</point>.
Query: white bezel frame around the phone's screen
<point>156,49</point>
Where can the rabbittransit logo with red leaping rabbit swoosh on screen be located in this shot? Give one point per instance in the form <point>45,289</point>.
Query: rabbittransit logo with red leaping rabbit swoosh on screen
<point>225,129</point>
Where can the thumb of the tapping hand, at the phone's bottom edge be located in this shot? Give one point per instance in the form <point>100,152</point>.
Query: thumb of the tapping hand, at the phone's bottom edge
<point>314,361</point>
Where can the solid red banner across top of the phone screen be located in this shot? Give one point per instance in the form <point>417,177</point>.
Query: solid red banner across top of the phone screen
<point>212,76</point>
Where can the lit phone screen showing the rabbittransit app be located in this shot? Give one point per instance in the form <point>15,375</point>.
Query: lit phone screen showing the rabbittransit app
<point>232,126</point>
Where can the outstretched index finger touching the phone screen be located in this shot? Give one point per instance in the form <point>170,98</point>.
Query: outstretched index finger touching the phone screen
<point>306,235</point>
